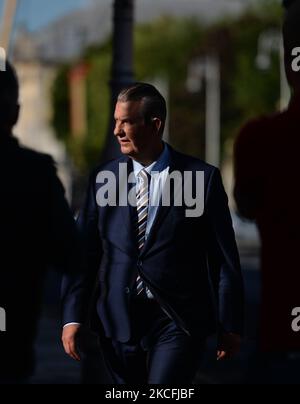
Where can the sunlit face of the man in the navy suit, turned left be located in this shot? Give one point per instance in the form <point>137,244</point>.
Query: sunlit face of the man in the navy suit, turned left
<point>134,136</point>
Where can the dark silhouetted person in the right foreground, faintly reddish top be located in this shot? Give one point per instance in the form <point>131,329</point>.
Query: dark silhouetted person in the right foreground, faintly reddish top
<point>267,178</point>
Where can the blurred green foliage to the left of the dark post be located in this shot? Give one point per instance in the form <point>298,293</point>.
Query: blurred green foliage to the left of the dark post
<point>86,150</point>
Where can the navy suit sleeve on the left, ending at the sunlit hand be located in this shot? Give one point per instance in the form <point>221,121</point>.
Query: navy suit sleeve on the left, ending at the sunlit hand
<point>77,289</point>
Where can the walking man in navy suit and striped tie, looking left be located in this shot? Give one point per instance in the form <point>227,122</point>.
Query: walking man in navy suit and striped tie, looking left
<point>165,278</point>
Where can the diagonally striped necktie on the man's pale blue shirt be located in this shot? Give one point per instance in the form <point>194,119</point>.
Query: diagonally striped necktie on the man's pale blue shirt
<point>142,217</point>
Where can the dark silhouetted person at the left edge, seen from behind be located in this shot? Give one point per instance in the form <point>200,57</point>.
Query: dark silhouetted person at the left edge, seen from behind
<point>36,230</point>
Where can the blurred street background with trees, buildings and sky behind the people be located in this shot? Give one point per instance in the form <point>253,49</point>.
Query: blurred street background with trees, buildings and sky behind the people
<point>218,63</point>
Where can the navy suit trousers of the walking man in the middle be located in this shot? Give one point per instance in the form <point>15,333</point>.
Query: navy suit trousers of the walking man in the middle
<point>159,352</point>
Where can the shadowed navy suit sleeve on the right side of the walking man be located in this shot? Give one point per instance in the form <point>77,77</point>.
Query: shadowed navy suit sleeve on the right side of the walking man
<point>223,258</point>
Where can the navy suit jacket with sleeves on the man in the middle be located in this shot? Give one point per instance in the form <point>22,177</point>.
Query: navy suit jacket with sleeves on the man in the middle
<point>190,264</point>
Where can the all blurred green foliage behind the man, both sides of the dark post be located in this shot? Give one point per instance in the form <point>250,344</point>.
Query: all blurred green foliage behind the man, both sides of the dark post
<point>164,49</point>
